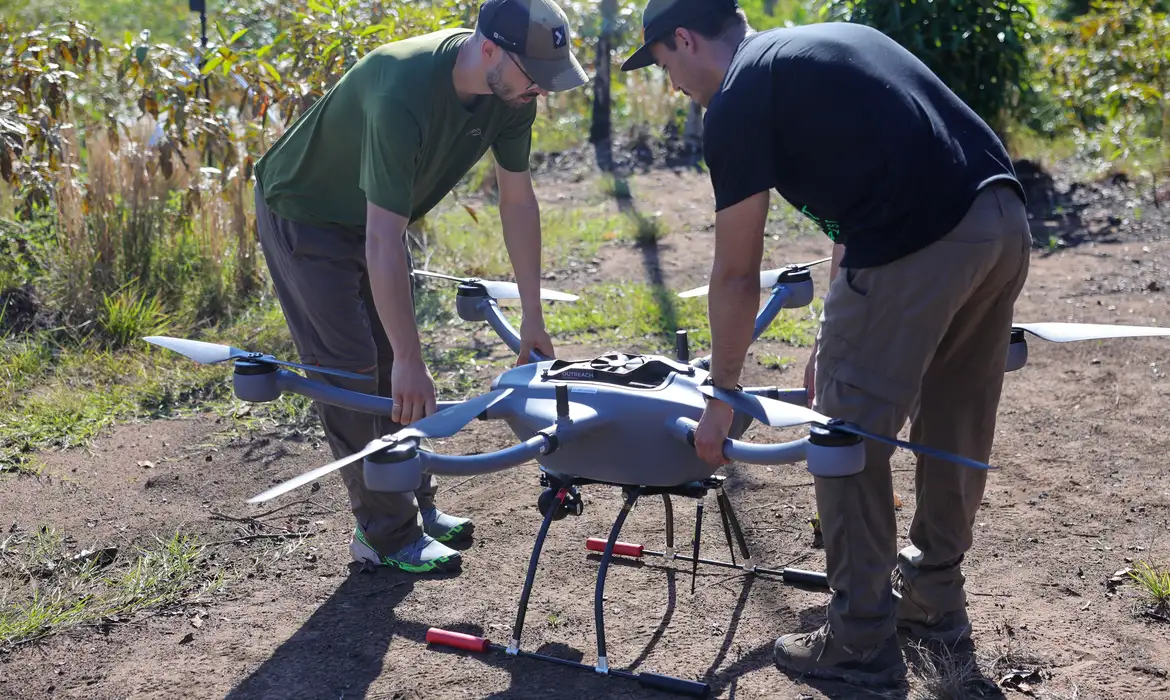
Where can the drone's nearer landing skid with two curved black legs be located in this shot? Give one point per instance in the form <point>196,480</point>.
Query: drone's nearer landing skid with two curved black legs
<point>555,509</point>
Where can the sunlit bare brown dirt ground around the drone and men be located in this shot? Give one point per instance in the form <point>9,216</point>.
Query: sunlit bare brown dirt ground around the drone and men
<point>1084,493</point>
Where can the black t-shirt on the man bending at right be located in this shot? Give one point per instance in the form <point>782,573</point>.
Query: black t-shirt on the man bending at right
<point>856,133</point>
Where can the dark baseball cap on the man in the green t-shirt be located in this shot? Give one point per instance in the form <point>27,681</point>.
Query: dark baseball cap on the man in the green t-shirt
<point>538,33</point>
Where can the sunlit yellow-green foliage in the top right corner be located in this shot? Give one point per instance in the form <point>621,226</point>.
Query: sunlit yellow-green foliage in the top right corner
<point>1106,76</point>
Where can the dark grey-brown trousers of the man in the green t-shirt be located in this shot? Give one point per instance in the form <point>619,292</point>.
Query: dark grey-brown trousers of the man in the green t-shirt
<point>324,287</point>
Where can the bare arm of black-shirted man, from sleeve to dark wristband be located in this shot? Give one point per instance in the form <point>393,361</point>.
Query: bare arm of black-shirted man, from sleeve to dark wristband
<point>734,289</point>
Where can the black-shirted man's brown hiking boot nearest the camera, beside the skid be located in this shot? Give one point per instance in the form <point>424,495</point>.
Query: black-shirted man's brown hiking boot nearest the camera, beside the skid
<point>820,655</point>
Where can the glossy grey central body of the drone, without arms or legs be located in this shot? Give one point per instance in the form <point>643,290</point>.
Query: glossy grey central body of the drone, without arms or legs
<point>620,410</point>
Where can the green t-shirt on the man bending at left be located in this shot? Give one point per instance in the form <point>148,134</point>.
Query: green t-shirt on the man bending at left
<point>391,131</point>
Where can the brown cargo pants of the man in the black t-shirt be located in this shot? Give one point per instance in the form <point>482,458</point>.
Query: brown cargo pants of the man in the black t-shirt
<point>927,334</point>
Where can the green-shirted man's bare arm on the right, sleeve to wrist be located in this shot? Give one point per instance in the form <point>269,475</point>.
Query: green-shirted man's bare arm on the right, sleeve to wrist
<point>520,216</point>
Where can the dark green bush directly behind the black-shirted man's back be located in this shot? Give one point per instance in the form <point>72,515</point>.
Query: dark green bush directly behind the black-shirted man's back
<point>979,49</point>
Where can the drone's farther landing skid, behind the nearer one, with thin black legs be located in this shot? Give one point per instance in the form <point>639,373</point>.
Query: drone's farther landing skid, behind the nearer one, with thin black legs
<point>699,491</point>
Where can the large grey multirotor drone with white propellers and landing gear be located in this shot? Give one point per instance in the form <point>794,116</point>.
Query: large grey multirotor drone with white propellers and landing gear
<point>621,420</point>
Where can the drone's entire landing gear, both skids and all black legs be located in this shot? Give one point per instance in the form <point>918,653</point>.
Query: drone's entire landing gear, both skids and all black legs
<point>566,500</point>
